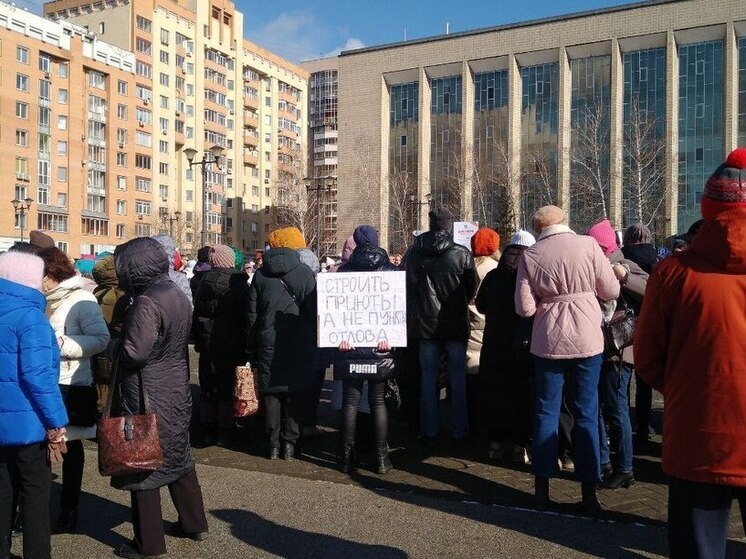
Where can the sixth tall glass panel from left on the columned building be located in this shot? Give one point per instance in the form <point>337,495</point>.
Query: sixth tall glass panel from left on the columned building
<point>643,167</point>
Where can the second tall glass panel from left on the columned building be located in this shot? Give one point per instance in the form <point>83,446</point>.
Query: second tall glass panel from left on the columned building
<point>446,165</point>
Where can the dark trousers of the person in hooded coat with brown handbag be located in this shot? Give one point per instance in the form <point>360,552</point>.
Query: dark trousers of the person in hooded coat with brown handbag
<point>147,518</point>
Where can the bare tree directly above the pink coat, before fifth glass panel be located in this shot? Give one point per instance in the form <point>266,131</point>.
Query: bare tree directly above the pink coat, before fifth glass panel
<point>590,165</point>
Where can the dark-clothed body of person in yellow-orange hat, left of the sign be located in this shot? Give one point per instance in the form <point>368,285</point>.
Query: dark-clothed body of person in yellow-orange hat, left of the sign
<point>282,340</point>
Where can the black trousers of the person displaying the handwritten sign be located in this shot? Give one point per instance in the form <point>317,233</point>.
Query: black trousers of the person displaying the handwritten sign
<point>351,393</point>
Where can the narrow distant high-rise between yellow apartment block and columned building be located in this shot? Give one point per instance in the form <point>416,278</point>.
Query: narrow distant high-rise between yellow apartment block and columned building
<point>323,136</point>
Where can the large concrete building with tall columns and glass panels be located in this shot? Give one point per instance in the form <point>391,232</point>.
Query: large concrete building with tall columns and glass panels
<point>619,113</point>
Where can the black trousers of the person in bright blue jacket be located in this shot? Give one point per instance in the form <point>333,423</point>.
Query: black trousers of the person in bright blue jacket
<point>35,481</point>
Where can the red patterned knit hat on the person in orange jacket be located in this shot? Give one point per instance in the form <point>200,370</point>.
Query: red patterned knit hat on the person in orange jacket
<point>726,188</point>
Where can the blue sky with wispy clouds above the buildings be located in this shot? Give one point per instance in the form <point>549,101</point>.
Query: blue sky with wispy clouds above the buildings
<point>325,27</point>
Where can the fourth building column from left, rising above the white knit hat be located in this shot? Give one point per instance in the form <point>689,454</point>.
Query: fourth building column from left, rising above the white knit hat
<point>515,93</point>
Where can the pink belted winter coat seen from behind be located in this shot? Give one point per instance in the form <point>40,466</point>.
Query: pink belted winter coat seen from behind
<point>561,280</point>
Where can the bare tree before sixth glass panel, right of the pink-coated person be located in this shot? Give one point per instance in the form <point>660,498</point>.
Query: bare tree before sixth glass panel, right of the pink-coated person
<point>644,168</point>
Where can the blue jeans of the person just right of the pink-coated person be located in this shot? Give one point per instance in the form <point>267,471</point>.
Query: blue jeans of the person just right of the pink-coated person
<point>614,396</point>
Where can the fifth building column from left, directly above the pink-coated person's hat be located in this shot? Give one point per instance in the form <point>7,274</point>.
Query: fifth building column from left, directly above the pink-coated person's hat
<point>564,131</point>
